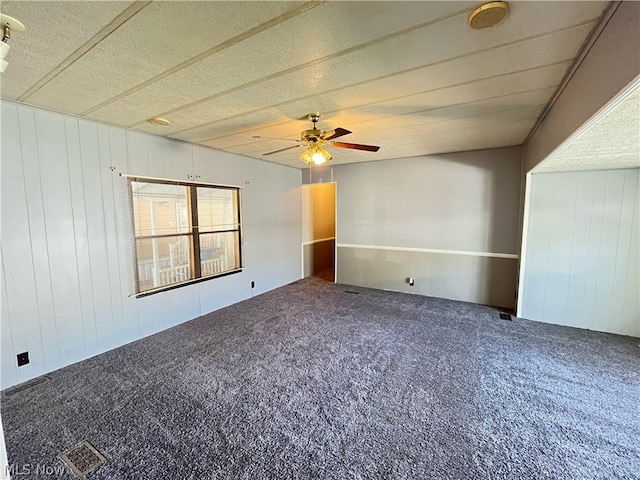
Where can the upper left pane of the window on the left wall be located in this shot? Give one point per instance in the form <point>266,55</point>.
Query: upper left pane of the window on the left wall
<point>159,209</point>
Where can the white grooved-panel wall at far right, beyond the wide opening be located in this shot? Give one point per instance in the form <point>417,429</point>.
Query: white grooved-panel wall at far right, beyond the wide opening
<point>582,251</point>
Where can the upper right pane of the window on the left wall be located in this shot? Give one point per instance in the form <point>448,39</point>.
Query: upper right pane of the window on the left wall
<point>217,209</point>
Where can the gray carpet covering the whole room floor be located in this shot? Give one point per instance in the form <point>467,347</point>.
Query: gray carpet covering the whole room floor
<point>316,380</point>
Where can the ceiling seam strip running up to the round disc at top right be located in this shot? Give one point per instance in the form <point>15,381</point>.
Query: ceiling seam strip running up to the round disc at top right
<point>311,63</point>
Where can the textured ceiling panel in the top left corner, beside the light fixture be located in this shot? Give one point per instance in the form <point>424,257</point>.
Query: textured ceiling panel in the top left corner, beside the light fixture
<point>53,31</point>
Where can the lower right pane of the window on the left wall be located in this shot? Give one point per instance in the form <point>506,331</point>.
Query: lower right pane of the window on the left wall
<point>219,252</point>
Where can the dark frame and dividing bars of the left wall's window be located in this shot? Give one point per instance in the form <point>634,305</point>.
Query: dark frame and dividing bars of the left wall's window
<point>194,232</point>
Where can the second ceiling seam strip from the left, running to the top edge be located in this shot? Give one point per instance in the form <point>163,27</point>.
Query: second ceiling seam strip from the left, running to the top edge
<point>207,53</point>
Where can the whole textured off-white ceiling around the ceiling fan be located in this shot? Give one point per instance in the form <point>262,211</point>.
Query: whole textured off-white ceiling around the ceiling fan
<point>412,77</point>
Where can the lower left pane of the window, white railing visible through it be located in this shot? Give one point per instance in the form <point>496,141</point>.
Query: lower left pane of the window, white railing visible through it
<point>163,261</point>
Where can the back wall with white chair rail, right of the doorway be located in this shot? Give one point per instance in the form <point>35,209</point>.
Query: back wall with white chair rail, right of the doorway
<point>450,221</point>
